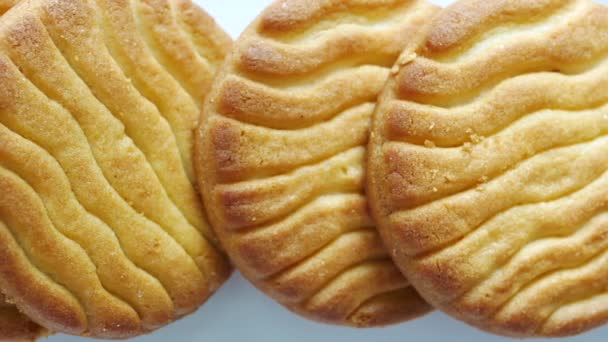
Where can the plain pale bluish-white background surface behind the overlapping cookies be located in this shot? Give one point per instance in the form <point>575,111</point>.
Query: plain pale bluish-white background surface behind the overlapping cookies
<point>239,312</point>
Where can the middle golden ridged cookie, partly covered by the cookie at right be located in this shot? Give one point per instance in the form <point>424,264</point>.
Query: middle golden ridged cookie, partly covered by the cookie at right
<point>281,150</point>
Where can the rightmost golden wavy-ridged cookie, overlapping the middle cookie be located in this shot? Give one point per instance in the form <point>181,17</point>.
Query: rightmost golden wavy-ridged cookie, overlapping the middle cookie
<point>489,165</point>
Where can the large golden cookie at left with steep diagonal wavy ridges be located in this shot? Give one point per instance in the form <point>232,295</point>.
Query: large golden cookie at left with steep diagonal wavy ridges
<point>102,232</point>
